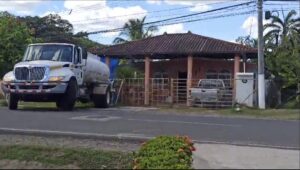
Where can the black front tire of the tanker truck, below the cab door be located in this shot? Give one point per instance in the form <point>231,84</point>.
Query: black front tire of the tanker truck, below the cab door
<point>67,101</point>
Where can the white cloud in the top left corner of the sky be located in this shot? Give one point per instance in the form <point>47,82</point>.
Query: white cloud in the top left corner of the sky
<point>19,7</point>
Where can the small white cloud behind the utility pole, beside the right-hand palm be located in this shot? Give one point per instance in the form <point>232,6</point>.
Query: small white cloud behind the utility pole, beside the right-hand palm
<point>250,26</point>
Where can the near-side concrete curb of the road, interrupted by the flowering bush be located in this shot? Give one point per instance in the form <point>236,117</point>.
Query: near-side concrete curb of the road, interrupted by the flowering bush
<point>121,138</point>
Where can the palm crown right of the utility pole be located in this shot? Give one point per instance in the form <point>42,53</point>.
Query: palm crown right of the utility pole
<point>280,29</point>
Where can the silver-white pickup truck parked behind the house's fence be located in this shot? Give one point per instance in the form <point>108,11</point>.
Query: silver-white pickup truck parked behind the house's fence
<point>208,90</point>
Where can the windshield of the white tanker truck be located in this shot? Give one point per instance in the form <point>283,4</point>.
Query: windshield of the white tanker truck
<point>49,52</point>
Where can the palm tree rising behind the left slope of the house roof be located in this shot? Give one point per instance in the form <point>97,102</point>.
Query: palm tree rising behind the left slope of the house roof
<point>135,29</point>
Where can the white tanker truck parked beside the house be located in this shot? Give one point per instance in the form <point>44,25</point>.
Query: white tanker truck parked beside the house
<point>58,72</point>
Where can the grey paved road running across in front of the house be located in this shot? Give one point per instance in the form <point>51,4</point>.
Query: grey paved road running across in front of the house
<point>143,123</point>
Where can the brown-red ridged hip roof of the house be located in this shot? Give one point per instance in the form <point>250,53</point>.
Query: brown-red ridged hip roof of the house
<point>177,45</point>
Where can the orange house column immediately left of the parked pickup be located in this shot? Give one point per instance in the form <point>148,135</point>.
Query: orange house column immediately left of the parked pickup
<point>189,79</point>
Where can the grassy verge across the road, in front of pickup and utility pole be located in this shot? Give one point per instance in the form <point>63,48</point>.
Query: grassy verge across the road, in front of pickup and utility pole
<point>279,114</point>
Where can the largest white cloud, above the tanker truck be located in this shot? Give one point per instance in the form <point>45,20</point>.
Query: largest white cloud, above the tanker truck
<point>97,15</point>
